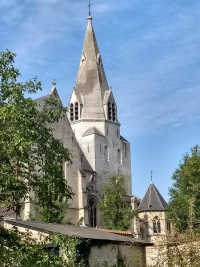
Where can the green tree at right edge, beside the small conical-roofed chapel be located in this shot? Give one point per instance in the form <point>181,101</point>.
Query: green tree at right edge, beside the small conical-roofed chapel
<point>186,184</point>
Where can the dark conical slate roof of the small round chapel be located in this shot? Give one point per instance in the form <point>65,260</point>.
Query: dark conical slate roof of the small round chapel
<point>153,200</point>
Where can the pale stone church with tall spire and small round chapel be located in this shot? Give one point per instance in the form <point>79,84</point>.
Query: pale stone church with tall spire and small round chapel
<point>91,131</point>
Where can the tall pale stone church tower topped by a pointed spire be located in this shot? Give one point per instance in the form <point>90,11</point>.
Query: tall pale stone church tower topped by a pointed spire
<point>94,120</point>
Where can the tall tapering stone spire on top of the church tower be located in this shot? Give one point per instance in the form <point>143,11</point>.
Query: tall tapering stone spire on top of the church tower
<point>91,82</point>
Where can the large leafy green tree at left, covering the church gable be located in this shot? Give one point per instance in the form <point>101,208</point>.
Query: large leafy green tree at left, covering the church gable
<point>31,159</point>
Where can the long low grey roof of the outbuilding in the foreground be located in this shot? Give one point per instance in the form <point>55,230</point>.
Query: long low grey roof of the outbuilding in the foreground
<point>84,232</point>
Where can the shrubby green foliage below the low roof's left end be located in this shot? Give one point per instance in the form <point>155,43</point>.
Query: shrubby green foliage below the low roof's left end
<point>20,249</point>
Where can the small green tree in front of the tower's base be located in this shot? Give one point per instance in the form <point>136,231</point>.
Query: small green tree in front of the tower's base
<point>117,213</point>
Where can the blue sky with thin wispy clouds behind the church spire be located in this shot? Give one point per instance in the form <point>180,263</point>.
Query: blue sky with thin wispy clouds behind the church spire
<point>150,51</point>
